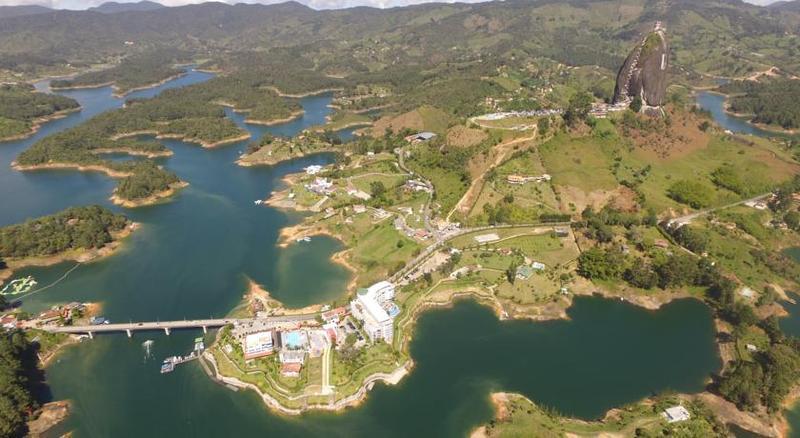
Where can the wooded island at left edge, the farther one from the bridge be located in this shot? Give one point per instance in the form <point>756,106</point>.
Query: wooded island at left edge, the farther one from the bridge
<point>22,109</point>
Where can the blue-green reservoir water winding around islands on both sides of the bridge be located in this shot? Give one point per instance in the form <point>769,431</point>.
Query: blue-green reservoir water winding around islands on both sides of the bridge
<point>193,256</point>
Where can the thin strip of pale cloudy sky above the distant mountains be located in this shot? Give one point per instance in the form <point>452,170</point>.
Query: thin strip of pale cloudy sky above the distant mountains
<point>316,4</point>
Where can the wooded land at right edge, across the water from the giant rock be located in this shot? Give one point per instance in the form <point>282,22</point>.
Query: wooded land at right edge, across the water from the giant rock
<point>772,102</point>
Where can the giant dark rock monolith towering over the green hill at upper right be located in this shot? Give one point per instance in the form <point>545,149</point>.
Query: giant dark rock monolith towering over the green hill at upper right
<point>644,72</point>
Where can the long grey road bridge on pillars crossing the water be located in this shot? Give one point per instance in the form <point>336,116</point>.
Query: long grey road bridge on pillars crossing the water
<point>168,326</point>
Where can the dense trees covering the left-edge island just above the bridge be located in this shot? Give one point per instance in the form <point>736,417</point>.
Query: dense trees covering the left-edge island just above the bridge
<point>74,228</point>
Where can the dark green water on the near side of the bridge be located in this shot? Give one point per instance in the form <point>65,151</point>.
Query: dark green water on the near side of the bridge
<point>609,353</point>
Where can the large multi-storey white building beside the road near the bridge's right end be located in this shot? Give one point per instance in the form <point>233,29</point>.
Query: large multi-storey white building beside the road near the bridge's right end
<point>368,308</point>
